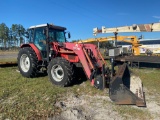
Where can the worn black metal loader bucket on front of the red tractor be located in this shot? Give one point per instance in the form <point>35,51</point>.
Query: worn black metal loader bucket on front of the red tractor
<point>125,89</point>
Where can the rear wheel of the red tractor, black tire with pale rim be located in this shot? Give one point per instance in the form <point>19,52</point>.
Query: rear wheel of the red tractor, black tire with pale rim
<point>27,62</point>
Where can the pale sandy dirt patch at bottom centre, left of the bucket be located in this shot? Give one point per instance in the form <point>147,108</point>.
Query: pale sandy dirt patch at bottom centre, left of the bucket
<point>86,108</point>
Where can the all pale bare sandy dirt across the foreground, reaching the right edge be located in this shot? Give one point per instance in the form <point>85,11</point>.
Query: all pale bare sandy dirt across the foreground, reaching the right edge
<point>97,107</point>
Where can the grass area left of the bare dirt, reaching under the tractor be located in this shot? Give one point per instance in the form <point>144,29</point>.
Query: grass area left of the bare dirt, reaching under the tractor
<point>26,98</point>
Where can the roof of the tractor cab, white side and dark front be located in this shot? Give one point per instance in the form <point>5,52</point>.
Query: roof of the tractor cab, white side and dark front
<point>50,26</point>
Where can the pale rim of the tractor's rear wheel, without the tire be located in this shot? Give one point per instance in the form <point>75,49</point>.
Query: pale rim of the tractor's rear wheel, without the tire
<point>25,63</point>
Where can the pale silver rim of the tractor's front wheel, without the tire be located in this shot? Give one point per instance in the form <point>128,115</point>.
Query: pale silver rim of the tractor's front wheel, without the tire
<point>57,73</point>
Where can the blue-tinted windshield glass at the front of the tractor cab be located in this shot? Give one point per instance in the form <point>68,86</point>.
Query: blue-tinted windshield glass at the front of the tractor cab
<point>56,35</point>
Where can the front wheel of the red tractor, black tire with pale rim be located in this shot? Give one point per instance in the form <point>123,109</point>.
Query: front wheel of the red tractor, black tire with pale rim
<point>60,72</point>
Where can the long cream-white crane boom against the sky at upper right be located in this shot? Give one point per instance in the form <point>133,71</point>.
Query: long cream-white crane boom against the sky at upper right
<point>152,27</point>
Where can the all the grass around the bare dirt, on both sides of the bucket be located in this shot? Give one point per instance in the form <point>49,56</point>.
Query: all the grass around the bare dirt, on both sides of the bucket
<point>35,98</point>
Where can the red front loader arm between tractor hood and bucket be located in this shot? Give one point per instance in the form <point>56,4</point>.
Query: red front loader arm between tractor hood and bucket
<point>91,60</point>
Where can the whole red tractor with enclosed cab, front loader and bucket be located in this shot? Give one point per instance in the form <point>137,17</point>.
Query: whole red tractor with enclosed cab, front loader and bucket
<point>49,49</point>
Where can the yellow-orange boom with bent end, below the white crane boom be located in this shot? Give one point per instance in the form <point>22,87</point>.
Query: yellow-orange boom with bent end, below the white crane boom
<point>129,39</point>
